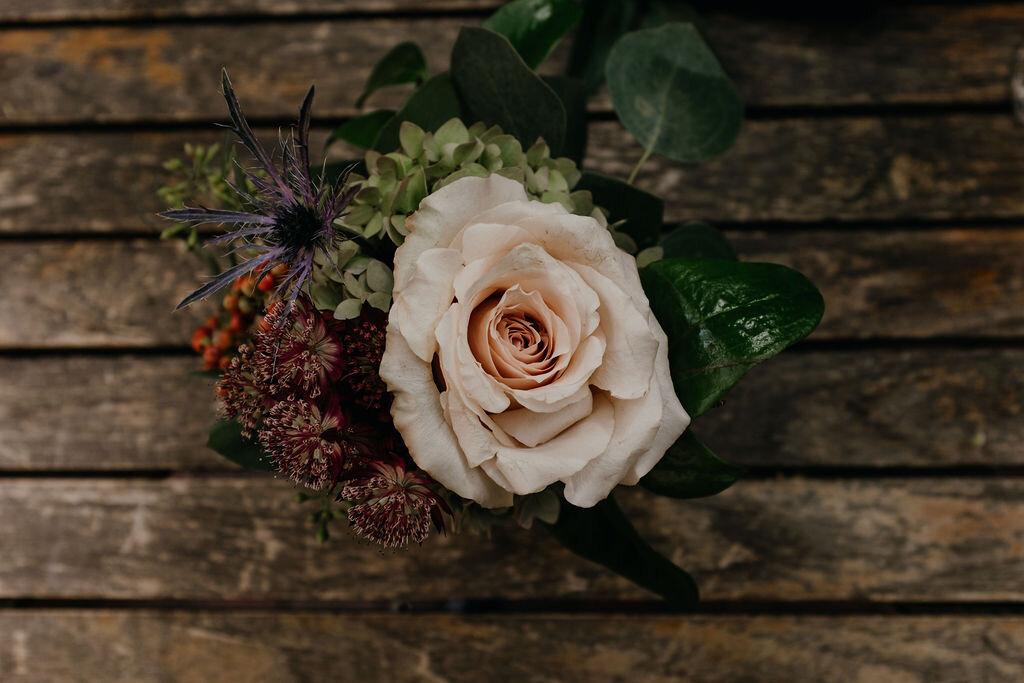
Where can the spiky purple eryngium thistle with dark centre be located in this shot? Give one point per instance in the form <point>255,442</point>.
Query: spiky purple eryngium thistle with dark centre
<point>294,217</point>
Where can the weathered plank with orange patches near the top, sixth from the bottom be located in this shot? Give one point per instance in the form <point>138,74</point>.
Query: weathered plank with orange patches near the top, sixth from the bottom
<point>902,55</point>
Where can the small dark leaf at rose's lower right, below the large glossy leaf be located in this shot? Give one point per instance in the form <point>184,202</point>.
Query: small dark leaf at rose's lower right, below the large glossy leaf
<point>690,469</point>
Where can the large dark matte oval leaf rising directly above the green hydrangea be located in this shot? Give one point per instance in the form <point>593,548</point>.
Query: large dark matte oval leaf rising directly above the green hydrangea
<point>497,88</point>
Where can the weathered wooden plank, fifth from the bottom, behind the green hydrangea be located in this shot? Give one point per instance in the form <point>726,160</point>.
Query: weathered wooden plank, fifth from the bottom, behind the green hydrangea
<point>959,167</point>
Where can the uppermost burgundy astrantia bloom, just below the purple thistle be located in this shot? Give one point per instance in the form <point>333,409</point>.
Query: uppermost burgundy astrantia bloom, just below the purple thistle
<point>298,349</point>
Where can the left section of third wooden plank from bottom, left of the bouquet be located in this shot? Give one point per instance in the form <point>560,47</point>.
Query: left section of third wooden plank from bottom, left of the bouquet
<point>105,413</point>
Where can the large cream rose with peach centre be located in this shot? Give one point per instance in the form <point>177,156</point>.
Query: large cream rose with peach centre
<point>522,350</point>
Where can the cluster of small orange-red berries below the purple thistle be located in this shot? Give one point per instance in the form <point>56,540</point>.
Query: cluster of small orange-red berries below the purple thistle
<point>219,339</point>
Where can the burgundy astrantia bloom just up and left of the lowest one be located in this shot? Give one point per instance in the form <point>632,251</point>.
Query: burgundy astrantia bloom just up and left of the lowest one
<point>314,444</point>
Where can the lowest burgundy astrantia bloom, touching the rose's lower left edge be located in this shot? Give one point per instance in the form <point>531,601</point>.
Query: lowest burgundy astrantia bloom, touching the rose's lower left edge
<point>395,504</point>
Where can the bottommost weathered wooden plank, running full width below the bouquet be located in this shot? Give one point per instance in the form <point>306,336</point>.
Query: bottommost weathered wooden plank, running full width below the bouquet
<point>119,647</point>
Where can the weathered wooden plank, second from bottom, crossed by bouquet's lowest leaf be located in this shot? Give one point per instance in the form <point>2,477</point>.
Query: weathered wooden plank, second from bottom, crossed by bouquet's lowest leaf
<point>783,540</point>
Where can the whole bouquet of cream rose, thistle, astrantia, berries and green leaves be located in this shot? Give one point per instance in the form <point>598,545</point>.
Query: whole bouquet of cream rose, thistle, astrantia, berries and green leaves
<point>463,329</point>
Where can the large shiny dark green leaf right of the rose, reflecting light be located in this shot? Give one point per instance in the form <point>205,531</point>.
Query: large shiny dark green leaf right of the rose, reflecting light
<point>723,318</point>
